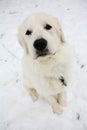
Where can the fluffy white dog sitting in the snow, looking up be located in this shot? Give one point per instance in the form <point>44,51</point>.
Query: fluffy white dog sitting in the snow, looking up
<point>47,60</point>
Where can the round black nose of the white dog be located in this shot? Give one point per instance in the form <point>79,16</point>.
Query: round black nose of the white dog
<point>40,44</point>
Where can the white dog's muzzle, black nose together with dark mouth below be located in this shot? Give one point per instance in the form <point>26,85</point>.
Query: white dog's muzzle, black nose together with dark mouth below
<point>40,46</point>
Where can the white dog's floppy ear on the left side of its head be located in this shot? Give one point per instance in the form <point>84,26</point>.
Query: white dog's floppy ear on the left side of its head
<point>22,42</point>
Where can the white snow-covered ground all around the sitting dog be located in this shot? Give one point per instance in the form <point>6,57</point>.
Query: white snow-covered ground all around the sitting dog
<point>17,111</point>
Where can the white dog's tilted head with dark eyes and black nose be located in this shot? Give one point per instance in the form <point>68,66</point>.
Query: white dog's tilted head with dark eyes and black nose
<point>40,35</point>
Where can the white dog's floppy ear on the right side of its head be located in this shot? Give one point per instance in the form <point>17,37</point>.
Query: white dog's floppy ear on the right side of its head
<point>59,31</point>
